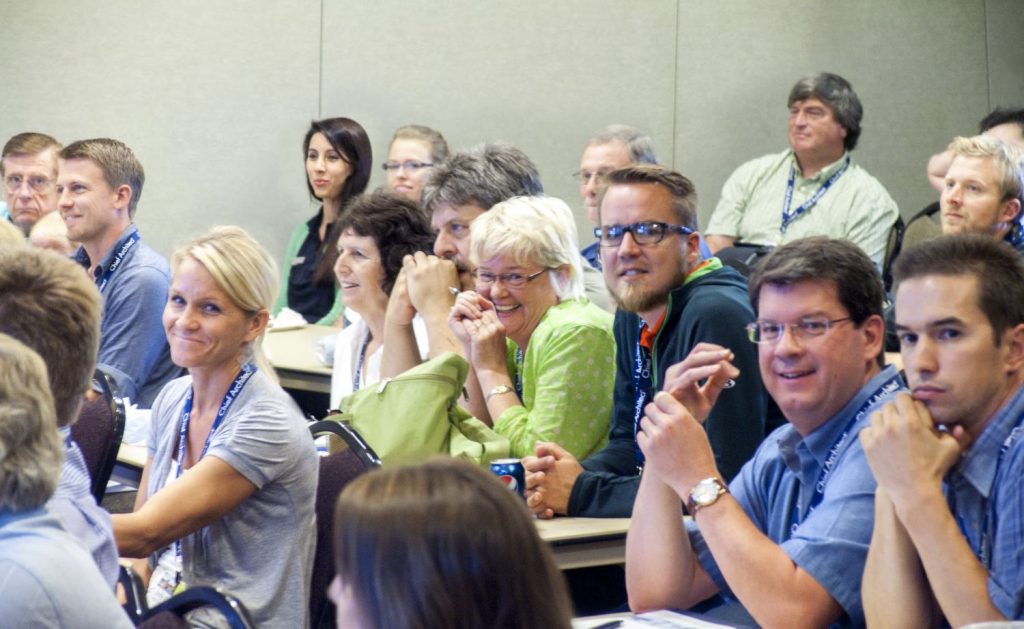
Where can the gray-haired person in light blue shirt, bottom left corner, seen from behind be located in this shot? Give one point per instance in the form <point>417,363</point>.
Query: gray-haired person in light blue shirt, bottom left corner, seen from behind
<point>50,580</point>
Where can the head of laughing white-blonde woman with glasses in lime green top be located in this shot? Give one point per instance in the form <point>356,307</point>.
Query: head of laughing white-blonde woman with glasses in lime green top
<point>527,262</point>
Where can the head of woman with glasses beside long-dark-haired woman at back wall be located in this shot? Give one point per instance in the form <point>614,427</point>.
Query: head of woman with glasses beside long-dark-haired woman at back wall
<point>414,152</point>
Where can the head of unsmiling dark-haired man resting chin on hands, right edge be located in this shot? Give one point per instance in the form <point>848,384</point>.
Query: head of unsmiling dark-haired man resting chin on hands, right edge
<point>960,317</point>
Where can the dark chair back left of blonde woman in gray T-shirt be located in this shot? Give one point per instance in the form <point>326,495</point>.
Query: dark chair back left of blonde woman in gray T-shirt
<point>99,432</point>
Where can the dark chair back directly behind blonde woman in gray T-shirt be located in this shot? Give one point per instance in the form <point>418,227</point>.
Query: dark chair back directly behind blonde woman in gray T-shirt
<point>336,471</point>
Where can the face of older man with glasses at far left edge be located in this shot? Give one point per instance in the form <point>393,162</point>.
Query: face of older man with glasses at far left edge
<point>30,187</point>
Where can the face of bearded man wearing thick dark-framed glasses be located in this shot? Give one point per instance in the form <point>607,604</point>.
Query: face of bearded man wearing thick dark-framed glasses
<point>641,278</point>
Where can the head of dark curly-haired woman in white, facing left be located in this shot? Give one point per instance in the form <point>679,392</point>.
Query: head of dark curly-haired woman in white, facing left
<point>374,235</point>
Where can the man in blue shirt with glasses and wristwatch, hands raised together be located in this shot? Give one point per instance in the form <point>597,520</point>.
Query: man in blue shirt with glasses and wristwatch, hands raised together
<point>786,542</point>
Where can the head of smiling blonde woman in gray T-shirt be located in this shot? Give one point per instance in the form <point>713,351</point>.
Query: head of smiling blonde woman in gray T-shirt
<point>223,286</point>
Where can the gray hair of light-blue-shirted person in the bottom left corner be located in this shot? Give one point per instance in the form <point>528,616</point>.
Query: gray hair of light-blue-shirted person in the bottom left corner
<point>30,446</point>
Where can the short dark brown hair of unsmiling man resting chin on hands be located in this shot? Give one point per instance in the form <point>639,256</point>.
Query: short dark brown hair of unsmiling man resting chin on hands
<point>999,270</point>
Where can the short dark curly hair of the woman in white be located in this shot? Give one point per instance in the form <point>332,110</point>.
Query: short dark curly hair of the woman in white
<point>398,226</point>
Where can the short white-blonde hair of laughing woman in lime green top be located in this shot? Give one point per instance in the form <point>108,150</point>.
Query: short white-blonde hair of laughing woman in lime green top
<point>537,230</point>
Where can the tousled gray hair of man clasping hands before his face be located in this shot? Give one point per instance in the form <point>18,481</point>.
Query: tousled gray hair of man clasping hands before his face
<point>485,177</point>
